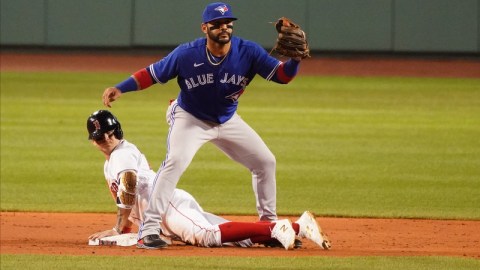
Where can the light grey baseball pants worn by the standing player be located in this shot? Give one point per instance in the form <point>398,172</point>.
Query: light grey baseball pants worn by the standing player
<point>235,138</point>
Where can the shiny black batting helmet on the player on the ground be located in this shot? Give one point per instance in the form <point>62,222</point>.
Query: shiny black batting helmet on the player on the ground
<point>102,121</point>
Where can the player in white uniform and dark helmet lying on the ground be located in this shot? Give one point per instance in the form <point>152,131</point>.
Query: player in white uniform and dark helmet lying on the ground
<point>130,181</point>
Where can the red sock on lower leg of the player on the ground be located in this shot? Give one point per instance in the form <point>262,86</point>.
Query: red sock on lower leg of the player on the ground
<point>238,231</point>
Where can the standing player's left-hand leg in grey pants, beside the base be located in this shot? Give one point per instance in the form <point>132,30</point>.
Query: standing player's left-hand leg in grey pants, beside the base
<point>186,135</point>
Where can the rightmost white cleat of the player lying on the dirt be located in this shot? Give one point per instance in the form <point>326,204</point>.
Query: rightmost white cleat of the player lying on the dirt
<point>310,229</point>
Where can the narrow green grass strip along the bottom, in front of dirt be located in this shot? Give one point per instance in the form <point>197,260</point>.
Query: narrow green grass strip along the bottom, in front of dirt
<point>38,262</point>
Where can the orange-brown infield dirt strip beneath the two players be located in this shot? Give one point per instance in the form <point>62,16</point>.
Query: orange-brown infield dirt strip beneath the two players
<point>67,234</point>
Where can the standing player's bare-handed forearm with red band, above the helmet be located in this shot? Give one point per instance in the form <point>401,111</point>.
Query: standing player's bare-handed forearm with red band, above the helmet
<point>139,80</point>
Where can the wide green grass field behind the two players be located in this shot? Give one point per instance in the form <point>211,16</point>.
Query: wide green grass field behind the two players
<point>366,147</point>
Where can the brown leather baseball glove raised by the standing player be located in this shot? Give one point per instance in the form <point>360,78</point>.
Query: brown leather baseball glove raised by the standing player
<point>291,41</point>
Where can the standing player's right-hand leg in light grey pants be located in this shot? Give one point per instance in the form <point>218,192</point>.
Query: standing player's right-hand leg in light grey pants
<point>241,143</point>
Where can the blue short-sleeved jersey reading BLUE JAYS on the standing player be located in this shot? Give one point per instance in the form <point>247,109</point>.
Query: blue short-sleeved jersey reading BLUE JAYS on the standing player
<point>208,91</point>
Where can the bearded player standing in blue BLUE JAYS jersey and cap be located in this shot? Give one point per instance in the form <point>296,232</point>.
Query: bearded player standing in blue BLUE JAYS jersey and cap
<point>212,73</point>
